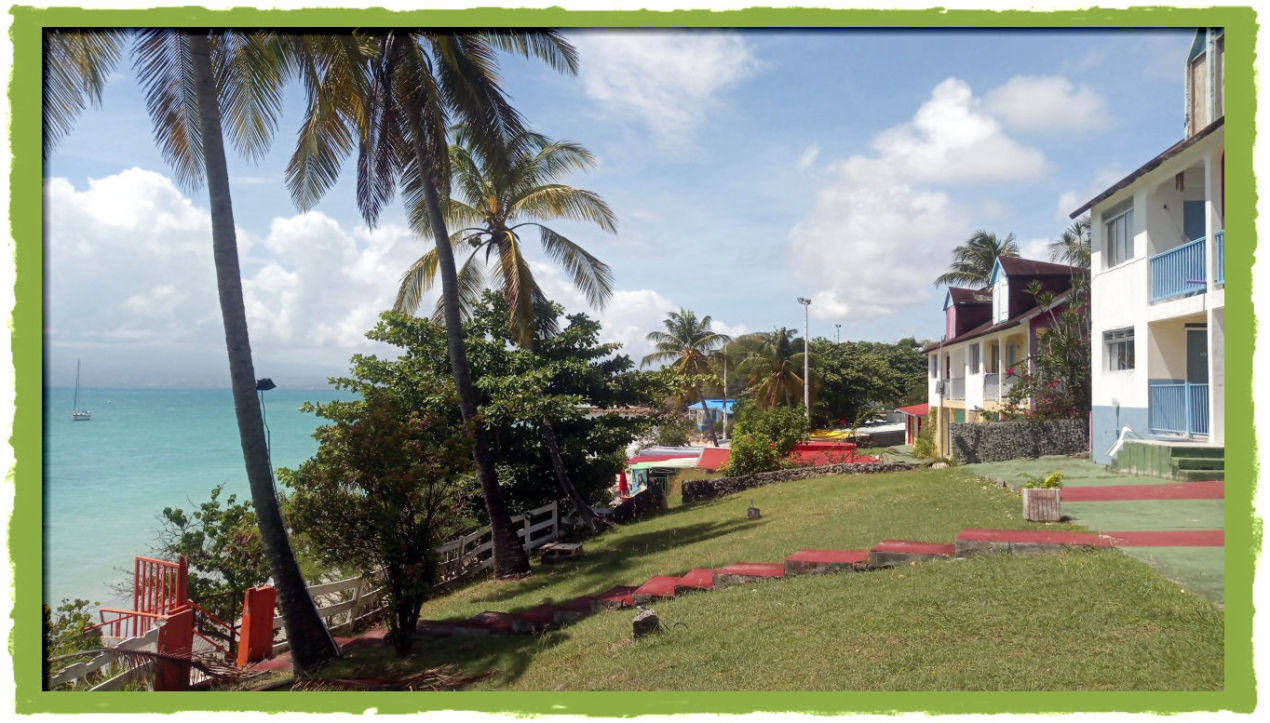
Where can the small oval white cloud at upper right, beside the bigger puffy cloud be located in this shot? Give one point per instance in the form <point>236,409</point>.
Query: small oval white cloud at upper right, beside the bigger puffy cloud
<point>1048,104</point>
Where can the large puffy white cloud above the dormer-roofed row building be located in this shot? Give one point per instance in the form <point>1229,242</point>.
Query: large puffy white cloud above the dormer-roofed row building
<point>881,227</point>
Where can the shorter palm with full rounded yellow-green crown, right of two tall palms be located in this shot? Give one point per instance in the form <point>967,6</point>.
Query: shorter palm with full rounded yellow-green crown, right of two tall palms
<point>491,206</point>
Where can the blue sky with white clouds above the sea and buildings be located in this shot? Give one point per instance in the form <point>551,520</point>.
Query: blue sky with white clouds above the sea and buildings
<point>746,168</point>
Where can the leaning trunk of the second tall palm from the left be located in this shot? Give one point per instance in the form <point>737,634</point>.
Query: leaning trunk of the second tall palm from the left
<point>510,558</point>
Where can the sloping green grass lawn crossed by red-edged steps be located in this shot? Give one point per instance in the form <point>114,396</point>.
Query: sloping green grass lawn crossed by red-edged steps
<point>1079,621</point>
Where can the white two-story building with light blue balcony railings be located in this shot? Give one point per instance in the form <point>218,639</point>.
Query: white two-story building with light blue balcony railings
<point>1159,293</point>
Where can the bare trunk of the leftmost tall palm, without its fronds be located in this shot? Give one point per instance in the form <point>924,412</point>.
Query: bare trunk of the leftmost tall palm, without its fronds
<point>312,644</point>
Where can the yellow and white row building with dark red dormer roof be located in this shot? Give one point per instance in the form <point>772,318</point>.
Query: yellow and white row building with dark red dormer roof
<point>989,336</point>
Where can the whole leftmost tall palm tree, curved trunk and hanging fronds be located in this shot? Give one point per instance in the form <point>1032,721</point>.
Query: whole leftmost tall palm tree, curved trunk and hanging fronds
<point>189,79</point>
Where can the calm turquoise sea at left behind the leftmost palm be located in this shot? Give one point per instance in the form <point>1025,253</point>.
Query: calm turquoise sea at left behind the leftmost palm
<point>107,481</point>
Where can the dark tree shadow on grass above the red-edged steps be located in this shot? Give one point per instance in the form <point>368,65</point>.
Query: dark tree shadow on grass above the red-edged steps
<point>603,567</point>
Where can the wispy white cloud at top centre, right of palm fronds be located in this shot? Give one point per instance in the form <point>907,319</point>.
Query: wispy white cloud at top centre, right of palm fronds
<point>670,81</point>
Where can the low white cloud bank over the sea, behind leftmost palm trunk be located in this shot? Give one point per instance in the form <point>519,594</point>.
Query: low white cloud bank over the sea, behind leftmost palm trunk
<point>130,273</point>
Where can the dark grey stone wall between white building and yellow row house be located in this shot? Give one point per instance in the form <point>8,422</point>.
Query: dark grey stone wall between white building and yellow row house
<point>1000,442</point>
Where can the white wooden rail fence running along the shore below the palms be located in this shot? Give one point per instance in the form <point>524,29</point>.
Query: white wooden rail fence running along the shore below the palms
<point>342,605</point>
